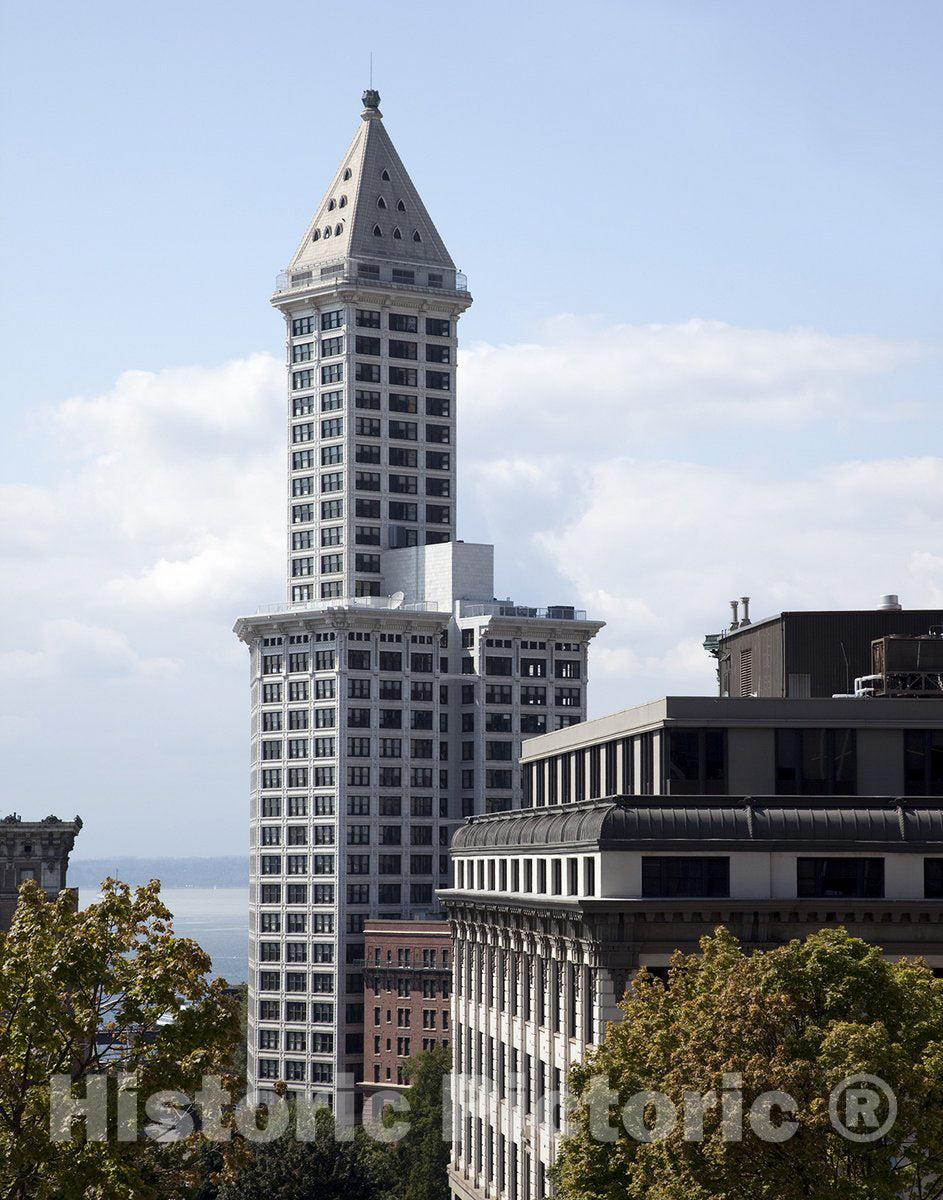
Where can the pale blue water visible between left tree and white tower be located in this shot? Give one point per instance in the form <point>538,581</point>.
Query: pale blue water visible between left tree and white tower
<point>217,919</point>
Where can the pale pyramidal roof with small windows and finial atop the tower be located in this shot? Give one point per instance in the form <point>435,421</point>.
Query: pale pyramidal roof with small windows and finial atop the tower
<point>373,209</point>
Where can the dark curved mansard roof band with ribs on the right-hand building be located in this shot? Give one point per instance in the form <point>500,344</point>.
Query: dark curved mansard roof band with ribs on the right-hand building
<point>712,823</point>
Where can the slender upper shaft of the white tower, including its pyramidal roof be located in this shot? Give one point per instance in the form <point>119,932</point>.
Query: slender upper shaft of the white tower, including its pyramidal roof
<point>371,302</point>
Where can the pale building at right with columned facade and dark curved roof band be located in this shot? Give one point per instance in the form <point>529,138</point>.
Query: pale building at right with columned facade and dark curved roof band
<point>644,832</point>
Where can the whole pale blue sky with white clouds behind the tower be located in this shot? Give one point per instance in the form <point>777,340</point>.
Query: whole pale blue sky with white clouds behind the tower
<point>704,359</point>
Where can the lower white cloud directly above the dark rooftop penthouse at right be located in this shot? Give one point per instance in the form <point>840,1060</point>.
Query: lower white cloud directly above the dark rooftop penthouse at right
<point>674,542</point>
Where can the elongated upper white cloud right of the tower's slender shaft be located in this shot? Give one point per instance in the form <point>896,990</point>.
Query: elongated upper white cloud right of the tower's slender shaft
<point>644,381</point>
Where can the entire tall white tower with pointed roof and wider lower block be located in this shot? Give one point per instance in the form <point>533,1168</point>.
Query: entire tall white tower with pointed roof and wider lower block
<point>392,691</point>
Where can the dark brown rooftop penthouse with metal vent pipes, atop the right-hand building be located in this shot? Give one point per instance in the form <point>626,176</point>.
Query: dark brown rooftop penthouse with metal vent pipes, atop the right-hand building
<point>802,656</point>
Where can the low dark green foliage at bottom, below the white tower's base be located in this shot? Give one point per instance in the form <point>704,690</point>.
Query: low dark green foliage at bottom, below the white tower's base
<point>320,1169</point>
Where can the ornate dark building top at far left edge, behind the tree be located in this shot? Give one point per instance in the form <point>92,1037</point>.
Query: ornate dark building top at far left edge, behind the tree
<point>33,850</point>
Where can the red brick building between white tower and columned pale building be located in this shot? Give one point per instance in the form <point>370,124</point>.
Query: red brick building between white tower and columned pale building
<point>407,997</point>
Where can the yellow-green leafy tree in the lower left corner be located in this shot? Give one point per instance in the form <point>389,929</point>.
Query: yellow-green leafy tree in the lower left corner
<point>106,991</point>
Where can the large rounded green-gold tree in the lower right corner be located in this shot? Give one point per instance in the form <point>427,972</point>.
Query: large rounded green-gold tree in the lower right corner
<point>800,1021</point>
